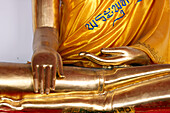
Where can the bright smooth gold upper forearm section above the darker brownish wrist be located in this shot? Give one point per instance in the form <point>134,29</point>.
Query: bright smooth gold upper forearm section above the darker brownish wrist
<point>45,13</point>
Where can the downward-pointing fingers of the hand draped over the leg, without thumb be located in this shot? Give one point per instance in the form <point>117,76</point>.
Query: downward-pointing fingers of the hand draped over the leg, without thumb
<point>42,78</point>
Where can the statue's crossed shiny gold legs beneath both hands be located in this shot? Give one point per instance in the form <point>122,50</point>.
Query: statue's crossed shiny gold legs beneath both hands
<point>85,86</point>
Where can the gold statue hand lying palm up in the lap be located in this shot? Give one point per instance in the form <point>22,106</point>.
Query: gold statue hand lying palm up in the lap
<point>118,56</point>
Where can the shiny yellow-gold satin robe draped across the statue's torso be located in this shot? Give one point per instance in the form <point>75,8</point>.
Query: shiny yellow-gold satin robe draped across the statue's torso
<point>145,26</point>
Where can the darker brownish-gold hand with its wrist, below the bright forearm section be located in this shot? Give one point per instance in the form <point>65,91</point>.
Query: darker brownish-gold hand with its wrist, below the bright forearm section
<point>46,62</point>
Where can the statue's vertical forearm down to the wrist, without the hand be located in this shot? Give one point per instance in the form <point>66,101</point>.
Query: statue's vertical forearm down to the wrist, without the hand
<point>46,23</point>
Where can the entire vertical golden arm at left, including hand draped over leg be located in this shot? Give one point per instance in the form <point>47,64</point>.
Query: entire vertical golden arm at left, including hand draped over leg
<point>46,61</point>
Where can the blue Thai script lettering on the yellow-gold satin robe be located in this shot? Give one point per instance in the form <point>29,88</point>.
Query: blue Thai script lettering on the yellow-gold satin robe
<point>115,8</point>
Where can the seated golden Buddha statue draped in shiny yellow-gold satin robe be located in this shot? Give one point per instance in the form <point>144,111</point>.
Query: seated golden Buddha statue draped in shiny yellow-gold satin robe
<point>106,39</point>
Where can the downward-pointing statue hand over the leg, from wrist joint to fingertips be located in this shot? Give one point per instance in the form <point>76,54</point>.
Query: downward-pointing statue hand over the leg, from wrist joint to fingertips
<point>46,62</point>
